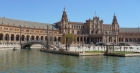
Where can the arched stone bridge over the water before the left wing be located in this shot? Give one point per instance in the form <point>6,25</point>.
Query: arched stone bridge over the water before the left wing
<point>30,43</point>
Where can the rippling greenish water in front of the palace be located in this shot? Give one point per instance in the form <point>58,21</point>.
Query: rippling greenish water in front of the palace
<point>34,61</point>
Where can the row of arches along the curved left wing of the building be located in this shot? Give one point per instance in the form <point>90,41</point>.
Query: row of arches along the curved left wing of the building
<point>15,38</point>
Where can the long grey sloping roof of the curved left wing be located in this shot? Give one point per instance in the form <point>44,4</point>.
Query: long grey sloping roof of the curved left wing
<point>14,22</point>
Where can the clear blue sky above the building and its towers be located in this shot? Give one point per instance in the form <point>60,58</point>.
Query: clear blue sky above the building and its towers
<point>50,11</point>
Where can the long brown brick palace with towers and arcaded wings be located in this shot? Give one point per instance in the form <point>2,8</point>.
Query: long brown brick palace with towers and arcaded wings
<point>92,30</point>
